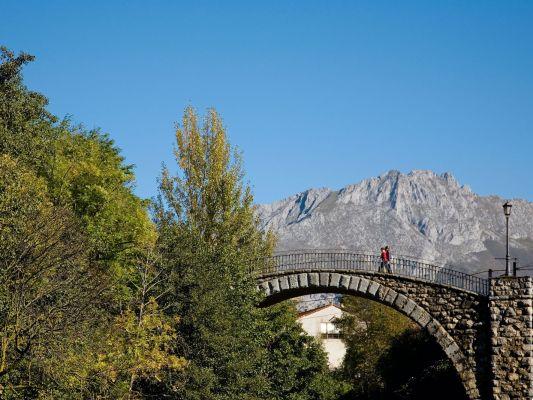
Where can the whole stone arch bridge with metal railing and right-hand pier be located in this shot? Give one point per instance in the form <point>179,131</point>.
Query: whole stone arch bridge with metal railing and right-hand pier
<point>483,325</point>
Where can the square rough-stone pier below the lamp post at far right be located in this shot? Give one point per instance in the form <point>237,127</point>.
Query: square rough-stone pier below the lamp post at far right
<point>511,314</point>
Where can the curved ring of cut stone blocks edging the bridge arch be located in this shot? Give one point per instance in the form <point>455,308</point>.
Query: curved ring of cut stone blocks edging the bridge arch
<point>411,303</point>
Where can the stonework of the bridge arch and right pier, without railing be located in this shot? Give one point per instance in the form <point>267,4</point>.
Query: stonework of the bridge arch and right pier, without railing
<point>489,345</point>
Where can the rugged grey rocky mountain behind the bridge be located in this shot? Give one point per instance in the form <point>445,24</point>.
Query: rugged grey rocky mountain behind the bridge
<point>421,215</point>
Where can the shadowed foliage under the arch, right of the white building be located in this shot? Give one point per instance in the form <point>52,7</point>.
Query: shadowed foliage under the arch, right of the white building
<point>389,357</point>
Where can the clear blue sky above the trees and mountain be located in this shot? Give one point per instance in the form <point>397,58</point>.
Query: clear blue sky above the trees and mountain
<point>314,93</point>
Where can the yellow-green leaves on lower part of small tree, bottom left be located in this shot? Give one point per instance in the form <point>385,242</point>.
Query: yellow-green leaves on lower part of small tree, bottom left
<point>134,346</point>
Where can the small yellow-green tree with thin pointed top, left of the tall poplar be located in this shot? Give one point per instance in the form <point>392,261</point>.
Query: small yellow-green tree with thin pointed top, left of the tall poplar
<point>135,351</point>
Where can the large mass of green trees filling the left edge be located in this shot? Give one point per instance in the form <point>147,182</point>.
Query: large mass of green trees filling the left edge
<point>72,232</point>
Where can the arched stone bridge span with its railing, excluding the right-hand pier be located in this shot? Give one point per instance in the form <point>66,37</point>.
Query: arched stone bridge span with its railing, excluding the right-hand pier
<point>450,305</point>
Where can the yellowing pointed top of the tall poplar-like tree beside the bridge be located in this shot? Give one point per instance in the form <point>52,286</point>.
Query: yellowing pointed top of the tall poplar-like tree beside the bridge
<point>208,195</point>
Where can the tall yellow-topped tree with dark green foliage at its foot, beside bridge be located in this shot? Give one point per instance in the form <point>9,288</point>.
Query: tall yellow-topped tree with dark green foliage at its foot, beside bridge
<point>210,239</point>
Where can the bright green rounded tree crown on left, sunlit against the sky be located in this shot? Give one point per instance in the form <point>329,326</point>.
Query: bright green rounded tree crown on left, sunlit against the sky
<point>89,175</point>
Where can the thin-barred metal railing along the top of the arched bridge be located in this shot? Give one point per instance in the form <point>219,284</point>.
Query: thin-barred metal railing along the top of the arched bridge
<point>348,261</point>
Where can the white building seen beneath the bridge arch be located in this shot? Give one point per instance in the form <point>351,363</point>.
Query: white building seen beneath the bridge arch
<point>319,323</point>
